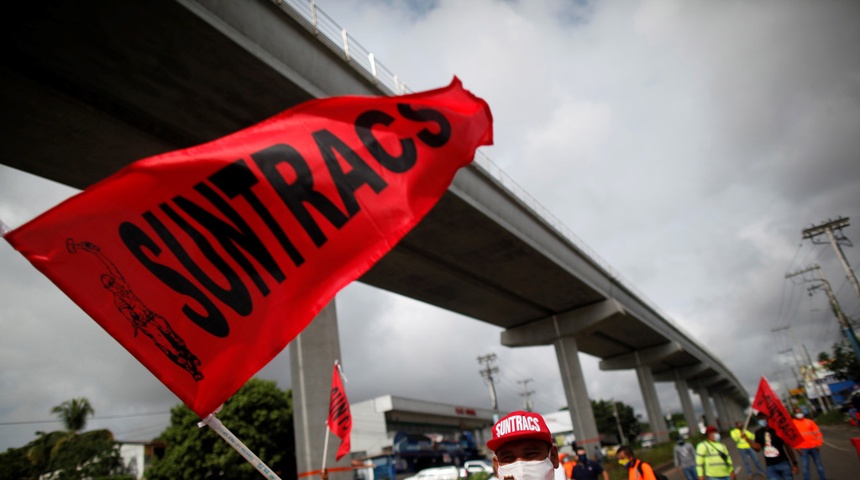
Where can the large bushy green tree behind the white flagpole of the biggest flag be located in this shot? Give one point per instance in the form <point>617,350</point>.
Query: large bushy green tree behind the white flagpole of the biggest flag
<point>259,414</point>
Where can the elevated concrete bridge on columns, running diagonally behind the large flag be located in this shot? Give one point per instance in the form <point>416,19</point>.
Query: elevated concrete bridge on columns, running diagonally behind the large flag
<point>89,87</point>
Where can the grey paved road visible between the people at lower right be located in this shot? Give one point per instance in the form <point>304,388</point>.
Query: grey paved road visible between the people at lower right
<point>841,461</point>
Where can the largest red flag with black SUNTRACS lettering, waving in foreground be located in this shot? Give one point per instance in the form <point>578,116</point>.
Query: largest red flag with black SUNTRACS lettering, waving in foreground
<point>205,263</point>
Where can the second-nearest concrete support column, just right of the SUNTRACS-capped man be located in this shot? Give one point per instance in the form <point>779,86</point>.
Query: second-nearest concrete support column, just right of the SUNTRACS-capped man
<point>581,414</point>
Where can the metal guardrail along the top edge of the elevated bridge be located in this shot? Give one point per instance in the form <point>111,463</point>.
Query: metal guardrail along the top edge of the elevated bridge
<point>347,47</point>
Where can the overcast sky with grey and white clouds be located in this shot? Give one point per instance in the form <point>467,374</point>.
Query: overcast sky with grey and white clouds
<point>687,143</point>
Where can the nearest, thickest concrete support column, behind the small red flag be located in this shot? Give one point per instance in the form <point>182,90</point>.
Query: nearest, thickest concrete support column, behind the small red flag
<point>312,356</point>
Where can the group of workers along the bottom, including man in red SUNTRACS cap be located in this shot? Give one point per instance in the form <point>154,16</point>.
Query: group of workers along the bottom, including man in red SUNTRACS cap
<point>523,449</point>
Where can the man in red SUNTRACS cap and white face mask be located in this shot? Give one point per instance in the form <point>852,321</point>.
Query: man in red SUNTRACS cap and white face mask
<point>523,448</point>
